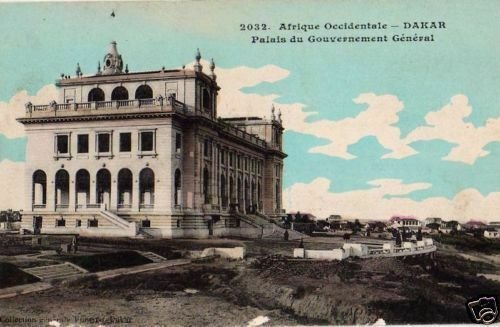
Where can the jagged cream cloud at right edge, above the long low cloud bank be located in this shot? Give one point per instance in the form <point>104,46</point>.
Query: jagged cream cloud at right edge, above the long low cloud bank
<point>448,124</point>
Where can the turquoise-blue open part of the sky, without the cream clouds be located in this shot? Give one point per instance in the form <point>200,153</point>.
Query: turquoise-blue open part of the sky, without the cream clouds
<point>42,40</point>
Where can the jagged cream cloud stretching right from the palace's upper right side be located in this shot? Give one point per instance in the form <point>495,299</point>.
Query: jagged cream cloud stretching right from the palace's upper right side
<point>376,120</point>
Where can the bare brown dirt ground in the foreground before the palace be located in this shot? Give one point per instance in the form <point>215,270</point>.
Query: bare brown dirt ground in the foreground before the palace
<point>270,284</point>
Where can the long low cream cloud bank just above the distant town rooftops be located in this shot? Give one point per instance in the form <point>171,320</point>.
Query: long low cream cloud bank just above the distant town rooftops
<point>387,199</point>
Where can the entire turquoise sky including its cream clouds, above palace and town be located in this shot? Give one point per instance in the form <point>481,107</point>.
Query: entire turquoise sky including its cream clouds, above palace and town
<point>371,129</point>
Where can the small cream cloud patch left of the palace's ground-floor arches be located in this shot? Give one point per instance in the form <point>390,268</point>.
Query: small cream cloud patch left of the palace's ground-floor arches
<point>11,185</point>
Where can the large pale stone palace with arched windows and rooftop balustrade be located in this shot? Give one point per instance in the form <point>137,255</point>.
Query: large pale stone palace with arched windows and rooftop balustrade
<point>124,153</point>
